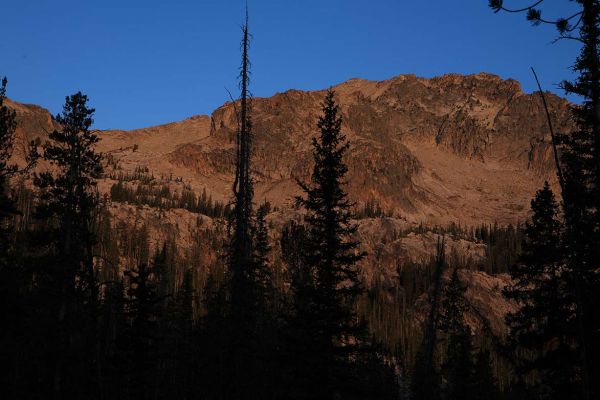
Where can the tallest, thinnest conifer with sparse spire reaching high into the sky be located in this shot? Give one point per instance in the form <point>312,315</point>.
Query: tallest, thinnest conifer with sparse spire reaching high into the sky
<point>242,314</point>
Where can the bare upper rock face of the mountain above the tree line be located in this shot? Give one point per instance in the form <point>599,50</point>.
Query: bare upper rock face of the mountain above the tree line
<point>455,148</point>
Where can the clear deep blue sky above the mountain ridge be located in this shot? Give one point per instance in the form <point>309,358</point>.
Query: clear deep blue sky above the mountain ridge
<point>146,62</point>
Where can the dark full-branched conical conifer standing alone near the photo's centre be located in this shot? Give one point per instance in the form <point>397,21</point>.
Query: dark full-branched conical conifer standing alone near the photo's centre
<point>326,305</point>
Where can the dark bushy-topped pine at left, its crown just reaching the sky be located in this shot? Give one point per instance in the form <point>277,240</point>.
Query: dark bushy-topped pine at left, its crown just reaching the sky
<point>69,203</point>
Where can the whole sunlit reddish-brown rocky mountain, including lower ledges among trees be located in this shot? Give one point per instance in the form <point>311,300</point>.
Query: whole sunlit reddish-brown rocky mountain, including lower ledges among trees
<point>456,149</point>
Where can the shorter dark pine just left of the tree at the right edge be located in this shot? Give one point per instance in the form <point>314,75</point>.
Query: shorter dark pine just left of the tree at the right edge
<point>541,325</point>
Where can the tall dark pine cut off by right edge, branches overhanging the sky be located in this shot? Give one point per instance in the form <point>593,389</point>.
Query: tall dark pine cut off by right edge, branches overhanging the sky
<point>579,175</point>
